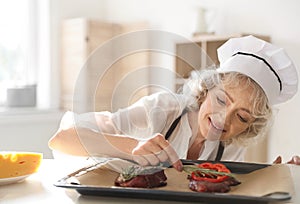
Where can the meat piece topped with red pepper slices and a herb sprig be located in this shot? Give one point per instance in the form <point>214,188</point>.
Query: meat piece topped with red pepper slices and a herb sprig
<point>209,177</point>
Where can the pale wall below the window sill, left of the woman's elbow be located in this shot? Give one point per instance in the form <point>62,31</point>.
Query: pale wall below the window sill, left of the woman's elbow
<point>29,131</point>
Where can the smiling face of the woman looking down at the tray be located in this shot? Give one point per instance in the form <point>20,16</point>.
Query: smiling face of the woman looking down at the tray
<point>225,112</point>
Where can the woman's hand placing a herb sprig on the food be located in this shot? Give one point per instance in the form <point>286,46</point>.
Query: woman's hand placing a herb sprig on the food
<point>156,150</point>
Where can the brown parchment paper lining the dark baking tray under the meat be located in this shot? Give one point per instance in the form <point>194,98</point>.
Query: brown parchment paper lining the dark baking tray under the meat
<point>272,179</point>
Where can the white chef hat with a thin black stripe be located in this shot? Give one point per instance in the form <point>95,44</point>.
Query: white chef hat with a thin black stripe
<point>265,63</point>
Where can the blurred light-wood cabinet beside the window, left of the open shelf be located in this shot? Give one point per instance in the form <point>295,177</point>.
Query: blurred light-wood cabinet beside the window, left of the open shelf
<point>90,69</point>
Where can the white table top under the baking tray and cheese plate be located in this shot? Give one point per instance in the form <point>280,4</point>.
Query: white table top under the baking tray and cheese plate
<point>39,188</point>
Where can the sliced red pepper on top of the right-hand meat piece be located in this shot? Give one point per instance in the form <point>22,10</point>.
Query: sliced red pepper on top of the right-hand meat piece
<point>200,176</point>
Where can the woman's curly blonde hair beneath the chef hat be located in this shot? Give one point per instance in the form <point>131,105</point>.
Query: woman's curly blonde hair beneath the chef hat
<point>200,82</point>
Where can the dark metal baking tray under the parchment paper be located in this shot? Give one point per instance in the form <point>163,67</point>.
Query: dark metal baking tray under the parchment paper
<point>71,182</point>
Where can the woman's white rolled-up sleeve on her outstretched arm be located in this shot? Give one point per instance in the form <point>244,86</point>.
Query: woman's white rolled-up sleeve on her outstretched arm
<point>149,115</point>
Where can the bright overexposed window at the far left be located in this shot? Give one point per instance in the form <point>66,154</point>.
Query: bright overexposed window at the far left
<point>24,29</point>
